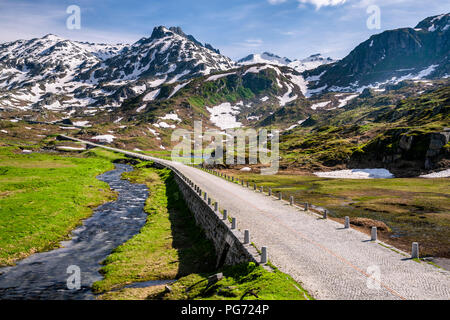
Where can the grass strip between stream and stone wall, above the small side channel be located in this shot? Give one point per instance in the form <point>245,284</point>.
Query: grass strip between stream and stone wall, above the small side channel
<point>169,246</point>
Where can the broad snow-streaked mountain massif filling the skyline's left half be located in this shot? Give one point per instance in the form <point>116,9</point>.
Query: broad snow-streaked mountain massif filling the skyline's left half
<point>56,73</point>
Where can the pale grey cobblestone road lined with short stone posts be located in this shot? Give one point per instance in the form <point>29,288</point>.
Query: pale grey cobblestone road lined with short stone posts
<point>329,261</point>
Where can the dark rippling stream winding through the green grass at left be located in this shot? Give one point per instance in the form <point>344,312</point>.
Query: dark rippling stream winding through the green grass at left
<point>47,275</point>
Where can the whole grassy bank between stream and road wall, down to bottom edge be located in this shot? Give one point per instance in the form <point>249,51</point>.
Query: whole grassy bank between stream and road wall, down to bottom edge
<point>171,246</point>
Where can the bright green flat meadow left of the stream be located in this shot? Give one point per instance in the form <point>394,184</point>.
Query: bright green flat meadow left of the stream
<point>45,196</point>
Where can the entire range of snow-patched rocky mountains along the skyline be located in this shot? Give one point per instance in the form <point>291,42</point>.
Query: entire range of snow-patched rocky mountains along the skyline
<point>56,74</point>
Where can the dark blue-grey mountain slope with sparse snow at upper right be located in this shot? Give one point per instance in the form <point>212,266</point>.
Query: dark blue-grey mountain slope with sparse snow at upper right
<point>394,55</point>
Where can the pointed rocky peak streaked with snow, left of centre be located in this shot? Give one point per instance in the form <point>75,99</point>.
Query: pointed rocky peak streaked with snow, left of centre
<point>168,55</point>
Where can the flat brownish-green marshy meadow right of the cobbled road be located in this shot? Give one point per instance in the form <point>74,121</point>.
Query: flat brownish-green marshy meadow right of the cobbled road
<point>413,209</point>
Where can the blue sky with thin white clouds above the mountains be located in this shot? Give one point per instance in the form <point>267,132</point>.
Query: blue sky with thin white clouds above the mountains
<point>292,28</point>
